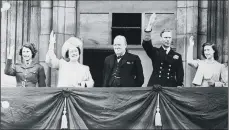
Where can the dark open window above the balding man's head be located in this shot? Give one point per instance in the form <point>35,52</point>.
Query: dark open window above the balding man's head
<point>128,25</point>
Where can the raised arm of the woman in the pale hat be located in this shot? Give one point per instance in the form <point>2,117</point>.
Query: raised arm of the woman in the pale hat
<point>51,58</point>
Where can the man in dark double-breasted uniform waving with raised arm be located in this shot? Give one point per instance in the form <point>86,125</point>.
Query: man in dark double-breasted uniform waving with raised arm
<point>167,64</point>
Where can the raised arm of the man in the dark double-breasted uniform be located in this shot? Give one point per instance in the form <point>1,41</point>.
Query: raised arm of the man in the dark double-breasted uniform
<point>147,44</point>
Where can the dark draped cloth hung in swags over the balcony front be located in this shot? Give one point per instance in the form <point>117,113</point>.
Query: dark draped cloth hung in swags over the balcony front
<point>115,108</point>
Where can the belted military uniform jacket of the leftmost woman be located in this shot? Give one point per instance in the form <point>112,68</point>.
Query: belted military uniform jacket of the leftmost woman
<point>26,76</point>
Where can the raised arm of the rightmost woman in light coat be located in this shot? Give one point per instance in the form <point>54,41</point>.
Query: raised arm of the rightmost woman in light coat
<point>190,61</point>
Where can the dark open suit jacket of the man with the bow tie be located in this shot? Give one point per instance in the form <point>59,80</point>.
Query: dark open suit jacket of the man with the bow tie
<point>131,72</point>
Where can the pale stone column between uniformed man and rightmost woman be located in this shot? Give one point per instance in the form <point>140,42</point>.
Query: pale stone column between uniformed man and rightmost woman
<point>187,24</point>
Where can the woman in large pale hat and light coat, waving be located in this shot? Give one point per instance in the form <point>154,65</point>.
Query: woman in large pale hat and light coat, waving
<point>71,72</point>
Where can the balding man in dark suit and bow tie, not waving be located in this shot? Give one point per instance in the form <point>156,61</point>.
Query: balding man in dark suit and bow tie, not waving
<point>122,69</point>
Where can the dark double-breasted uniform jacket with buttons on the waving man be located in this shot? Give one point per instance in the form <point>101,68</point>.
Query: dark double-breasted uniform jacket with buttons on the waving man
<point>167,68</point>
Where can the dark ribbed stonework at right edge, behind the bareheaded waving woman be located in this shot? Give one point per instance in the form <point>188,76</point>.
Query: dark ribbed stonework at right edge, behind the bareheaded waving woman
<point>217,25</point>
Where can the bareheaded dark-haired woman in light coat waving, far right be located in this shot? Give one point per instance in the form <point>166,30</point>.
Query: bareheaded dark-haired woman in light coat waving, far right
<point>209,70</point>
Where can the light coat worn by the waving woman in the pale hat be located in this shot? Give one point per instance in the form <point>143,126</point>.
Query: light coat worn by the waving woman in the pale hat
<point>70,74</point>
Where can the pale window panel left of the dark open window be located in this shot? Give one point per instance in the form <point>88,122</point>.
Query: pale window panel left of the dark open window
<point>94,28</point>
